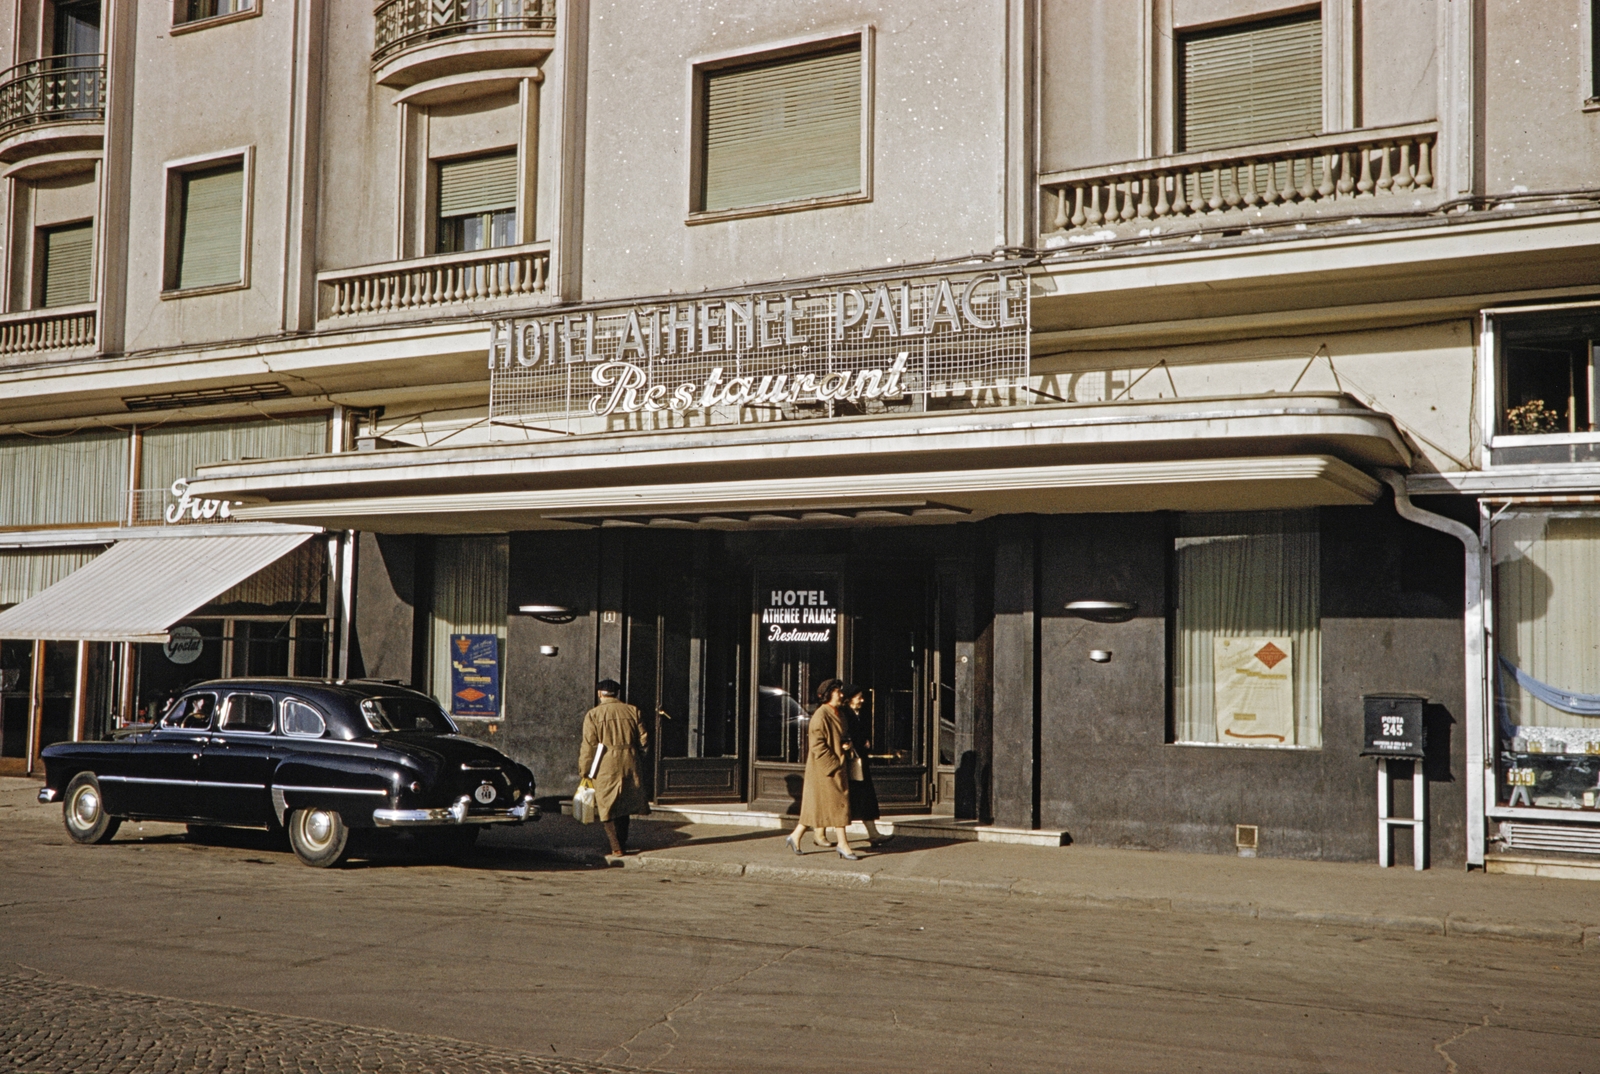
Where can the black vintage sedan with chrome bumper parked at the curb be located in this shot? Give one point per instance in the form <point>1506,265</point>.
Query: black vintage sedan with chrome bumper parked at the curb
<point>314,758</point>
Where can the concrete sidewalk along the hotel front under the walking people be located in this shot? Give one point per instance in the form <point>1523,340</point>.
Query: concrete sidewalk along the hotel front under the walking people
<point>1441,902</point>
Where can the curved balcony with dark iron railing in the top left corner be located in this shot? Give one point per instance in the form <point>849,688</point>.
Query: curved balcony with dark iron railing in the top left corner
<point>52,106</point>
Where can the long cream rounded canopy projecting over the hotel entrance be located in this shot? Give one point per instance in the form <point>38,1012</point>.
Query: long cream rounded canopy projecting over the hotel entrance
<point>932,468</point>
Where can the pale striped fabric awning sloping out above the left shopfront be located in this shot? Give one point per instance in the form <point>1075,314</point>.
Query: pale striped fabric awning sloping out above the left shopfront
<point>137,590</point>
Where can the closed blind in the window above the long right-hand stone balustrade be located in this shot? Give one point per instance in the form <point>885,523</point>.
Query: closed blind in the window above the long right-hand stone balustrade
<point>1252,84</point>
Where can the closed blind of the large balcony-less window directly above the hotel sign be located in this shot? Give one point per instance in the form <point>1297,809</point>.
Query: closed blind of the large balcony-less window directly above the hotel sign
<point>783,130</point>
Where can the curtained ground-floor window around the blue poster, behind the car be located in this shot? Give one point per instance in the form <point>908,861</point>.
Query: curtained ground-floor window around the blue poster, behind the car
<point>470,598</point>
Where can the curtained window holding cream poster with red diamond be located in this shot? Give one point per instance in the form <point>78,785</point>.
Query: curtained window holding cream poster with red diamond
<point>1247,668</point>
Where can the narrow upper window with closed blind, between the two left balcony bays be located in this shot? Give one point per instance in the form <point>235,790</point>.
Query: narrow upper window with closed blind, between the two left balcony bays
<point>206,228</point>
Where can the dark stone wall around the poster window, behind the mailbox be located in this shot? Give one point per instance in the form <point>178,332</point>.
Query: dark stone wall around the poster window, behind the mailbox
<point>1110,774</point>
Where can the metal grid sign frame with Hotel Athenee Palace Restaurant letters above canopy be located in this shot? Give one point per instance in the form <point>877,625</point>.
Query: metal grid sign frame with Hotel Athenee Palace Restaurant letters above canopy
<point>868,347</point>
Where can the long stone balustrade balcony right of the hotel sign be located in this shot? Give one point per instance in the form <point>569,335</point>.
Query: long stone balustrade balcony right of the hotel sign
<point>1332,177</point>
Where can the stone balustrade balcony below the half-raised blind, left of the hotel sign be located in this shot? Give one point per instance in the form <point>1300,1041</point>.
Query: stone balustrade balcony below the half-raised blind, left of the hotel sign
<point>446,286</point>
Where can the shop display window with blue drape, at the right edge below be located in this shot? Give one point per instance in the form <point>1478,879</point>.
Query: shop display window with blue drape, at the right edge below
<point>1548,659</point>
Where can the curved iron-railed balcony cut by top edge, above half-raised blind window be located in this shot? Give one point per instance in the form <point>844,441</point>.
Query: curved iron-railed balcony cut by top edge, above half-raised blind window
<point>417,41</point>
